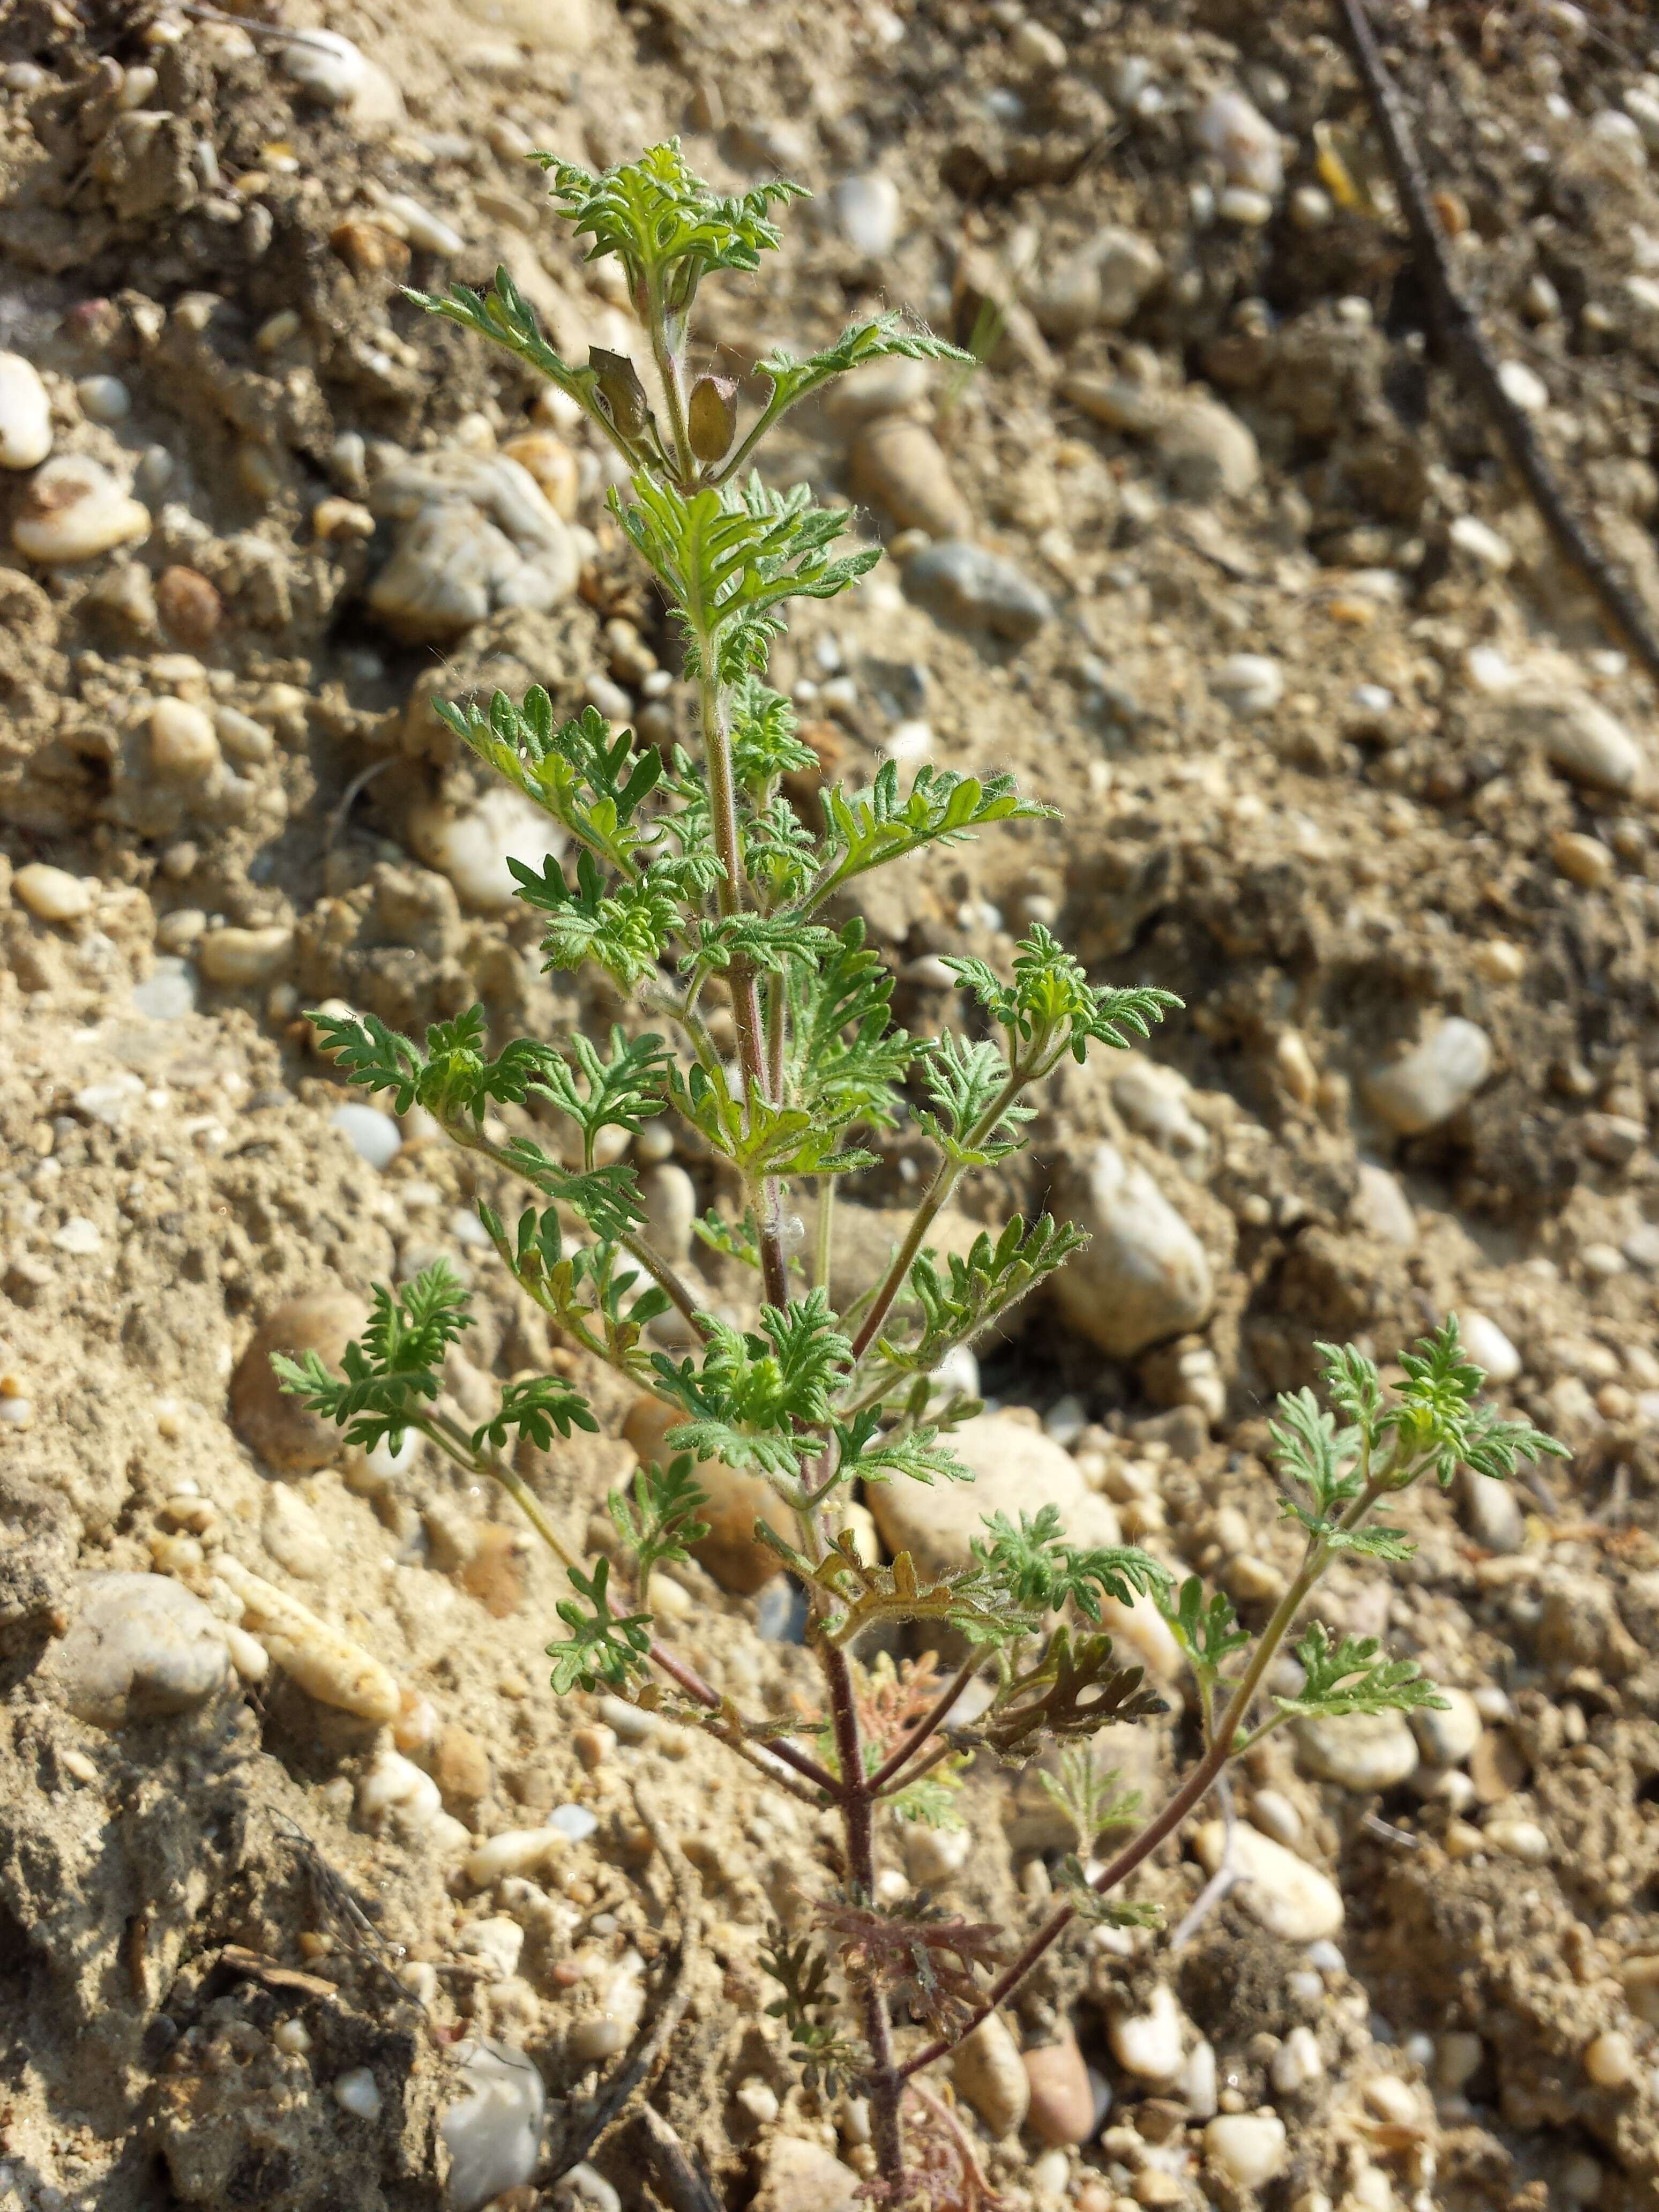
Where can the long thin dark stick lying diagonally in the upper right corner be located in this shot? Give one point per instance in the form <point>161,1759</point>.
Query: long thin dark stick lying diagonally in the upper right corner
<point>1470,353</point>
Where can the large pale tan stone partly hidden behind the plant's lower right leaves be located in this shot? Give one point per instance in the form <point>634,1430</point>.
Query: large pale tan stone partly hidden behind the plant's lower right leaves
<point>1016,1470</point>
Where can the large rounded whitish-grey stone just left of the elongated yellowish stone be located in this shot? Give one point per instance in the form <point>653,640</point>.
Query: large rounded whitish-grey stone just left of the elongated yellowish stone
<point>140,1649</point>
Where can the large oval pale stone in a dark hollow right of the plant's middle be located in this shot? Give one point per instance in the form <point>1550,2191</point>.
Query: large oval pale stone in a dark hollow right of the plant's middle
<point>1142,1275</point>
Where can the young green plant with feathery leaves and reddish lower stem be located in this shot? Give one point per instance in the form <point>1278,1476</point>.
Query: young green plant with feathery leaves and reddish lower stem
<point>691,881</point>
